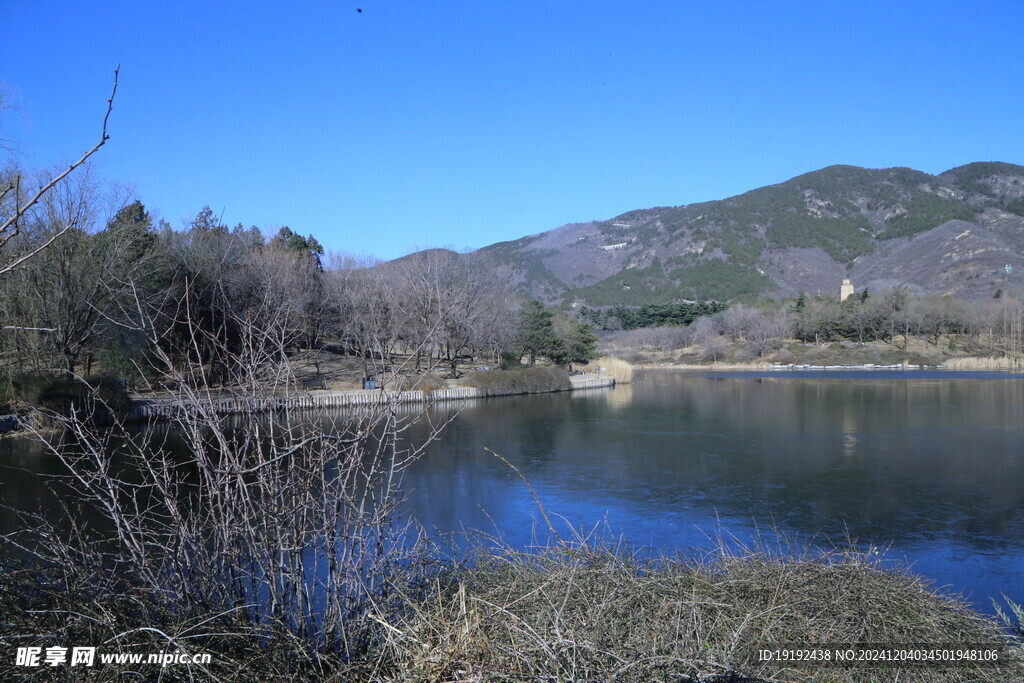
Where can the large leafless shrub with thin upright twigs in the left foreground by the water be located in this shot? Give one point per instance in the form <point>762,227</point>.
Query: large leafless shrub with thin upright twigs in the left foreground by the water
<point>282,524</point>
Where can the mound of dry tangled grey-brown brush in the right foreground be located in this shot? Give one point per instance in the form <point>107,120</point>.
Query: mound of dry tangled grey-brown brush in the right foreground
<point>596,614</point>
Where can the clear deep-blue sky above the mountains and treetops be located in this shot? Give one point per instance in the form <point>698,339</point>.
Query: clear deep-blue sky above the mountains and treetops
<point>417,123</point>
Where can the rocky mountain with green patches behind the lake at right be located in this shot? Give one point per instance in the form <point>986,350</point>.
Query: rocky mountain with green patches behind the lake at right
<point>948,234</point>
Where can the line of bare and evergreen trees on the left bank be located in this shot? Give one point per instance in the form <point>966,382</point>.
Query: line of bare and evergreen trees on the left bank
<point>118,290</point>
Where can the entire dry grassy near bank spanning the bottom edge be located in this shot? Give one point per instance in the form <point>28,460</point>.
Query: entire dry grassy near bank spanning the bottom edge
<point>574,613</point>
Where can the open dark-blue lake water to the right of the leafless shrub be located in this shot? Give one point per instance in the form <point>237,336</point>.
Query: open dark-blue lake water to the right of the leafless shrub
<point>929,465</point>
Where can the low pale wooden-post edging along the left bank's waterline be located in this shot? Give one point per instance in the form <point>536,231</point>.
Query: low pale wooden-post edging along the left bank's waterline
<point>165,409</point>
